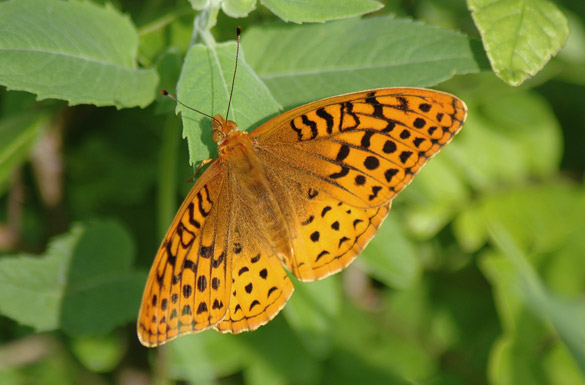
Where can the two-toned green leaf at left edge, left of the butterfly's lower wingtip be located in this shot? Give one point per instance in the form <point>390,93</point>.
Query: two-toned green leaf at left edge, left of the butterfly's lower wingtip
<point>83,284</point>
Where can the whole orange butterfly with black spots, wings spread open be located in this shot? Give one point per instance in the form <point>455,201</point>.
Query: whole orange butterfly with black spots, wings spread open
<point>306,190</point>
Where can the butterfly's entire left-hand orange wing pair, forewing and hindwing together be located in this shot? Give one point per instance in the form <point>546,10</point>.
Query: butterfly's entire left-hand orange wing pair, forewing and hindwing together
<point>207,272</point>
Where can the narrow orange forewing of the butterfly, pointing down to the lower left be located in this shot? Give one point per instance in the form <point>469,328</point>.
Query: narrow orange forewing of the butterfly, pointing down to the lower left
<point>190,280</point>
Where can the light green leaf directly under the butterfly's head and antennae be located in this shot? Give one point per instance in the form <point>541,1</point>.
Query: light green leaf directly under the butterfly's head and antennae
<point>205,84</point>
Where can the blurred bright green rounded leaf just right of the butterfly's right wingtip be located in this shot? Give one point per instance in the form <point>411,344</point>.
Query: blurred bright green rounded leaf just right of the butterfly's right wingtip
<point>521,128</point>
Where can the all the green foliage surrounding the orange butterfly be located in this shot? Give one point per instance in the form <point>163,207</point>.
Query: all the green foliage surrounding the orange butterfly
<point>476,277</point>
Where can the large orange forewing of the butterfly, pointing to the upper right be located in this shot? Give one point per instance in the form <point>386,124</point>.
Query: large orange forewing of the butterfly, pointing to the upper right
<point>361,148</point>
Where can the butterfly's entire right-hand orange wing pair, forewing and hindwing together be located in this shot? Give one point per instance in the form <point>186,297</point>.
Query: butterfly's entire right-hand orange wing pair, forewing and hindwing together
<point>342,160</point>
